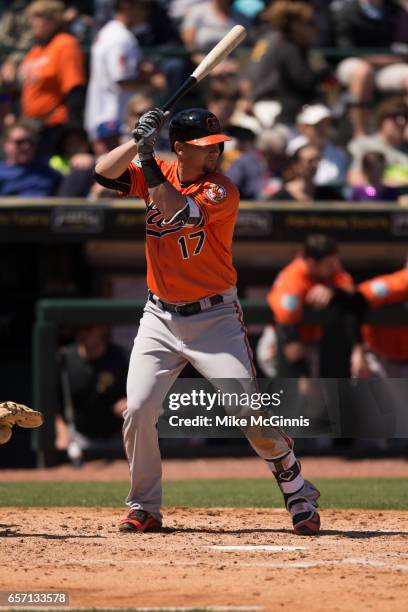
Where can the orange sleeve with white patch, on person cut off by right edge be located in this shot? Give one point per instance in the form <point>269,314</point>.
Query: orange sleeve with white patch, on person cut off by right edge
<point>386,289</point>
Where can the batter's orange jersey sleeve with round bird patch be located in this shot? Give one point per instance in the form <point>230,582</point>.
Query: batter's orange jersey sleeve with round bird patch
<point>218,201</point>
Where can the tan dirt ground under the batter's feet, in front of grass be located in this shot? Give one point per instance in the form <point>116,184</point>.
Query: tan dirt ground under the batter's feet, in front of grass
<point>359,562</point>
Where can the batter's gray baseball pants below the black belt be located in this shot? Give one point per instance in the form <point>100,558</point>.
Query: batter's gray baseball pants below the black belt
<point>214,341</point>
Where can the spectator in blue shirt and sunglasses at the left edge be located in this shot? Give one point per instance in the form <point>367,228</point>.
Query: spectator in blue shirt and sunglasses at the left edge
<point>22,173</point>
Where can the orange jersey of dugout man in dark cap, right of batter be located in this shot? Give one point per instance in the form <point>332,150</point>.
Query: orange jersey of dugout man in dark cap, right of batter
<point>288,294</point>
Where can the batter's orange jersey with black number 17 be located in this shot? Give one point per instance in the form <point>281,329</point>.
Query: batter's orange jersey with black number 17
<point>185,264</point>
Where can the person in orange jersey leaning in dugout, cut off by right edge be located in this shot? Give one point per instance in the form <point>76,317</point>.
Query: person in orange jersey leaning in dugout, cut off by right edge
<point>387,345</point>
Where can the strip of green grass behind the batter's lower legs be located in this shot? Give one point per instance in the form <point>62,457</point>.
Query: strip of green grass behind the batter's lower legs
<point>369,493</point>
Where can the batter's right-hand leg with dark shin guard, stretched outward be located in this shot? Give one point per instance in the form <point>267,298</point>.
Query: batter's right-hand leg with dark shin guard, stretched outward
<point>218,346</point>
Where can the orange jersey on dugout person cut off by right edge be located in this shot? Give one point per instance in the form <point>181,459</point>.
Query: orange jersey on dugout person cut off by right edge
<point>390,342</point>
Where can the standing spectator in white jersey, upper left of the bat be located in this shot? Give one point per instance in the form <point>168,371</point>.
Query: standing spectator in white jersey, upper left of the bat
<point>115,70</point>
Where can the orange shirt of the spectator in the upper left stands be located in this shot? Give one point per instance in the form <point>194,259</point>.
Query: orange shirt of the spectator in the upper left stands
<point>49,73</point>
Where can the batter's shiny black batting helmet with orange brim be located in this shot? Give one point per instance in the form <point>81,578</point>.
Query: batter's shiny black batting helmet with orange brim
<point>196,126</point>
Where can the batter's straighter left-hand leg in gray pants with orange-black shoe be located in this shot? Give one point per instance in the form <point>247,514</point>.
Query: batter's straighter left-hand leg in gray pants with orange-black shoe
<point>154,365</point>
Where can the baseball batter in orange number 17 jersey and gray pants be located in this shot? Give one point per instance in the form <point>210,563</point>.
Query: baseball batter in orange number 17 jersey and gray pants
<point>192,313</point>
